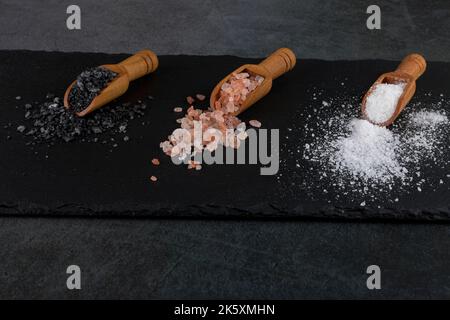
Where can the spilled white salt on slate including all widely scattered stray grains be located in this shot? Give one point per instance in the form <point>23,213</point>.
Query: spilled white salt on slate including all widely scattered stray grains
<point>346,158</point>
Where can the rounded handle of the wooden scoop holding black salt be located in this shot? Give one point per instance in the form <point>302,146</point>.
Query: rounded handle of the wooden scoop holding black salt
<point>140,64</point>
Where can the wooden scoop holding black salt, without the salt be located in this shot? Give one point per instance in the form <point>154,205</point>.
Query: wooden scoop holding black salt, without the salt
<point>132,68</point>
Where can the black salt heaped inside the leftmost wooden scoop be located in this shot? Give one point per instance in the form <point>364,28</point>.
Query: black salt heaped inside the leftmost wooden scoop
<point>88,85</point>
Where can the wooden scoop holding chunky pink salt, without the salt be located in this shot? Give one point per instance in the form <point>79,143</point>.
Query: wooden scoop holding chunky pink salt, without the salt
<point>275,65</point>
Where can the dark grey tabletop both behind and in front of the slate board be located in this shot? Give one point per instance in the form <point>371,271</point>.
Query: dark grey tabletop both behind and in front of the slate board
<point>136,258</point>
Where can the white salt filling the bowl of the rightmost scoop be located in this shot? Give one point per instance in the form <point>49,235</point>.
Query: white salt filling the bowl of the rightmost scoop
<point>382,102</point>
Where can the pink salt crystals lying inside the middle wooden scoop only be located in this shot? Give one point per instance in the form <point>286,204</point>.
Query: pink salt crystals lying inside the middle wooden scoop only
<point>234,92</point>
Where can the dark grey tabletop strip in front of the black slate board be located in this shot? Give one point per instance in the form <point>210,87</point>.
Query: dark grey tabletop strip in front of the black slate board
<point>207,259</point>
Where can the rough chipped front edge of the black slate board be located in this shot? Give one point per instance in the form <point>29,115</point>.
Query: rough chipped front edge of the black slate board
<point>261,211</point>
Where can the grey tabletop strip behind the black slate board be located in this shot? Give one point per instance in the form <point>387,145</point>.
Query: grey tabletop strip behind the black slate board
<point>333,29</point>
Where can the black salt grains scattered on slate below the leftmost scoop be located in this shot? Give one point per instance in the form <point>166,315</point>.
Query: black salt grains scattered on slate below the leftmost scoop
<point>49,122</point>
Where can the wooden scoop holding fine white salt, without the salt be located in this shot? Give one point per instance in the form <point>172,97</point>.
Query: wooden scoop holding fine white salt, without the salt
<point>409,70</point>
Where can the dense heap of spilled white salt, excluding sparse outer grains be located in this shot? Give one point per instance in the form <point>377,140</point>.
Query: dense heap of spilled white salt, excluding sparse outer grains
<point>373,154</point>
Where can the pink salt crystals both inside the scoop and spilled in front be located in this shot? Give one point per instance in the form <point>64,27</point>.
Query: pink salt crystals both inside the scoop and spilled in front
<point>211,128</point>
